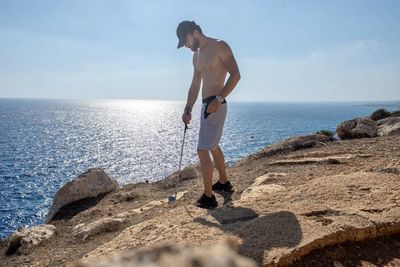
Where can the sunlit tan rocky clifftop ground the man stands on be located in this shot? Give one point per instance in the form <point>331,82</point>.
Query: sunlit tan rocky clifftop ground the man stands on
<point>324,204</point>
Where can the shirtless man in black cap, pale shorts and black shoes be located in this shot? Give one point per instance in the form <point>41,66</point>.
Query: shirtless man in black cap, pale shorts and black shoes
<point>212,60</point>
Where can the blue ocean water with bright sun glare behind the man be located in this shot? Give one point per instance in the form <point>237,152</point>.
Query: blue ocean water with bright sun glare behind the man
<point>45,143</point>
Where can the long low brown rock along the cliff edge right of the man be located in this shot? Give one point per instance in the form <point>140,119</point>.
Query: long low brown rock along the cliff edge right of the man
<point>294,143</point>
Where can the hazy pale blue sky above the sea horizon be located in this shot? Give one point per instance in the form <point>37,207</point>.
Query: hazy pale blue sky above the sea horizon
<point>342,50</point>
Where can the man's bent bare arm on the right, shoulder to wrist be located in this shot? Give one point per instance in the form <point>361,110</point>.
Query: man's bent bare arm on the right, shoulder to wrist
<point>228,60</point>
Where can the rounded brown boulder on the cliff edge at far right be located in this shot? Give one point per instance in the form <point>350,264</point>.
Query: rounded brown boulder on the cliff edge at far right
<point>357,128</point>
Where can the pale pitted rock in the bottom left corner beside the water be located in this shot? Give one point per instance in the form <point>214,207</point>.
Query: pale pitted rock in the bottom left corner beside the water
<point>24,240</point>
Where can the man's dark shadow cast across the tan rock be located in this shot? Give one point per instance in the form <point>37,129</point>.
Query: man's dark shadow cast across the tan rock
<point>259,233</point>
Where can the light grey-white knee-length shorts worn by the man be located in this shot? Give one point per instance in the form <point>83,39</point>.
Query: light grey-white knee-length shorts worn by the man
<point>211,128</point>
